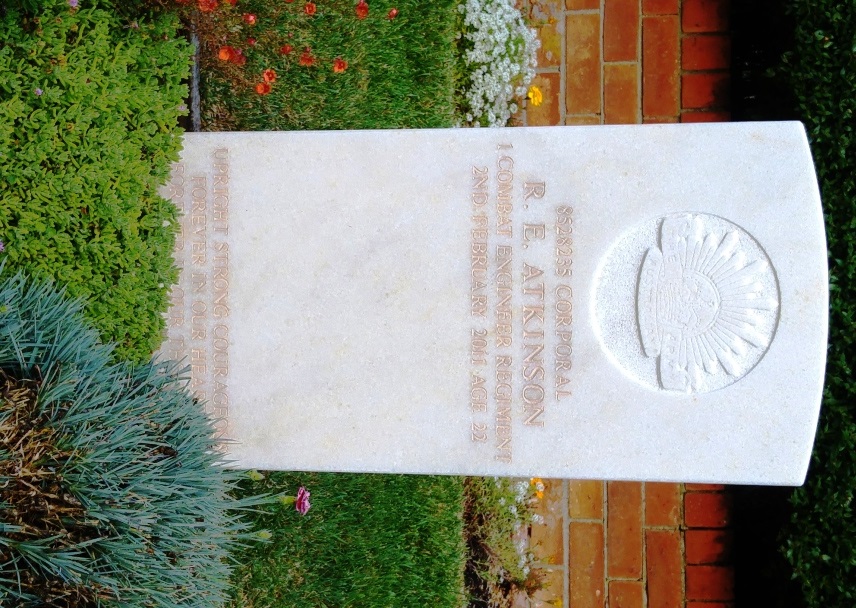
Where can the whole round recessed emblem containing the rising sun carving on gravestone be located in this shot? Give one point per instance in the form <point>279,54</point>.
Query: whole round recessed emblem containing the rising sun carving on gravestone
<point>706,303</point>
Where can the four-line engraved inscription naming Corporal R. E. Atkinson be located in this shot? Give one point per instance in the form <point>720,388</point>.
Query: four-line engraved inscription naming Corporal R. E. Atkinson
<point>521,306</point>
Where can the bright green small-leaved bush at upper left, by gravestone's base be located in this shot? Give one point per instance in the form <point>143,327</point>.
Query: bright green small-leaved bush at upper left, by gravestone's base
<point>88,128</point>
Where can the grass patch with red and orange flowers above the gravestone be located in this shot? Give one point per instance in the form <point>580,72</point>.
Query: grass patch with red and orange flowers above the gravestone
<point>392,72</point>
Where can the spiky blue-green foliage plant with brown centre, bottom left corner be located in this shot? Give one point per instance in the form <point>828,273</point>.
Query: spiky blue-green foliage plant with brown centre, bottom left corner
<point>112,491</point>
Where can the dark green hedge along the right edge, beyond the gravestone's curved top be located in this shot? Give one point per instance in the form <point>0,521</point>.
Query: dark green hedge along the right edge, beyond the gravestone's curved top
<point>821,69</point>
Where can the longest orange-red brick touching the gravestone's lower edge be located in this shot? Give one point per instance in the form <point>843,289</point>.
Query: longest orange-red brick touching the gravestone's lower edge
<point>624,529</point>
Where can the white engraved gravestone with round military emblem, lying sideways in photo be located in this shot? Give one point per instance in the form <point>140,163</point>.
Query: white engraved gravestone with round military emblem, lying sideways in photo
<point>643,302</point>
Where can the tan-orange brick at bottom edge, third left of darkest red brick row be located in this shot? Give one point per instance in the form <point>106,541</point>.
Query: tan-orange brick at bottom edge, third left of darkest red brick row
<point>585,567</point>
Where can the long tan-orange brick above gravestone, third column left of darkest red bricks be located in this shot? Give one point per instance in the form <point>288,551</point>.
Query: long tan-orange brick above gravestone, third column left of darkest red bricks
<point>583,84</point>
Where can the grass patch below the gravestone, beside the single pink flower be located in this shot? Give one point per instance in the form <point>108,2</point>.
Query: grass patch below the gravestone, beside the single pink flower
<point>368,540</point>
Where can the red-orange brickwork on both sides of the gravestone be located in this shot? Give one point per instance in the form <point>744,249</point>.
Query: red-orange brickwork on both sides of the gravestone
<point>623,544</point>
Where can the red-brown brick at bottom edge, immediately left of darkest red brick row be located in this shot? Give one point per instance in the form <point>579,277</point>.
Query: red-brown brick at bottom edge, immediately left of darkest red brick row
<point>663,568</point>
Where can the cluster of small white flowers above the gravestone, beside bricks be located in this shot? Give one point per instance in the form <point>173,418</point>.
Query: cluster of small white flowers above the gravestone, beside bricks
<point>500,59</point>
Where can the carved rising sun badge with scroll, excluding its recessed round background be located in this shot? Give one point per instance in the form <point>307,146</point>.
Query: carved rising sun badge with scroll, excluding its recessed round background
<point>706,303</point>
